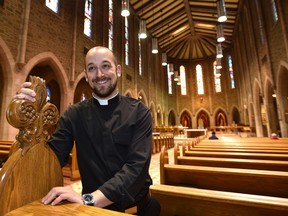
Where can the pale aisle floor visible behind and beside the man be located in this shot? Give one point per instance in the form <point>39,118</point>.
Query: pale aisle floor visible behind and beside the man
<point>154,171</point>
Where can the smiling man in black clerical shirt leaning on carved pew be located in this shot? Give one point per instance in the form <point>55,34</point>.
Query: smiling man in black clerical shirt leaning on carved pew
<point>113,136</point>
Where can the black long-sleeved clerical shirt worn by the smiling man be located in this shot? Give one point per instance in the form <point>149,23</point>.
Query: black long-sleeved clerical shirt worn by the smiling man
<point>113,145</point>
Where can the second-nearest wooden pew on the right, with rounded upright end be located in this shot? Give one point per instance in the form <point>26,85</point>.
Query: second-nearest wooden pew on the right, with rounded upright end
<point>250,181</point>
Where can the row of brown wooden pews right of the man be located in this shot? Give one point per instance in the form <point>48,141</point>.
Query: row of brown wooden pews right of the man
<point>233,176</point>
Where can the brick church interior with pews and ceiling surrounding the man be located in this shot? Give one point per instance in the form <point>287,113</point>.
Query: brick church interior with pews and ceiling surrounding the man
<point>199,66</point>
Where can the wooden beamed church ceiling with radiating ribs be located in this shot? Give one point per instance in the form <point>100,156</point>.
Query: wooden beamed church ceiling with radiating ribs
<point>186,29</point>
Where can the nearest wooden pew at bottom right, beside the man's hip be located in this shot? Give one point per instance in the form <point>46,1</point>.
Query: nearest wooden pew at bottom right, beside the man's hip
<point>176,200</point>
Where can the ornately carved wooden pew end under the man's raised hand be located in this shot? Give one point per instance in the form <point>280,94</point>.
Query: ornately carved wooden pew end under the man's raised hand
<point>33,169</point>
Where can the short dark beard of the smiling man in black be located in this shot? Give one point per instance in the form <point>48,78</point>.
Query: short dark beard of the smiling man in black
<point>103,91</point>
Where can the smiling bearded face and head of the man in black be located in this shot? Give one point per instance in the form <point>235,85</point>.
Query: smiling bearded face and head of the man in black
<point>101,72</point>
